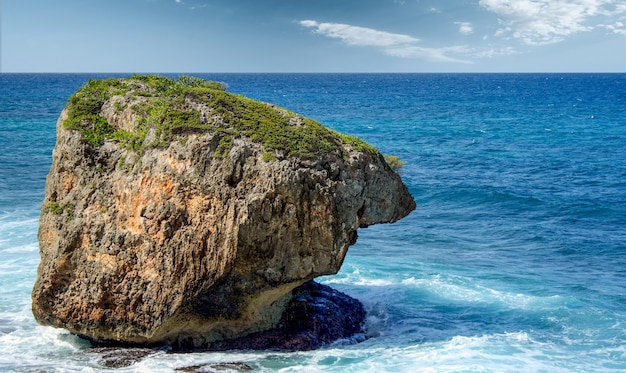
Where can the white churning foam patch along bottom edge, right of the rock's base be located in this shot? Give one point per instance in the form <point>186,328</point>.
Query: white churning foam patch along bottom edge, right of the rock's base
<point>511,352</point>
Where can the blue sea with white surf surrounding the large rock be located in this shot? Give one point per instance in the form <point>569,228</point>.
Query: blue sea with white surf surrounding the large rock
<point>513,261</point>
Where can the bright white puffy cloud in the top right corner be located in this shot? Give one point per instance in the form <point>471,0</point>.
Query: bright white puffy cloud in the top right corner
<point>537,22</point>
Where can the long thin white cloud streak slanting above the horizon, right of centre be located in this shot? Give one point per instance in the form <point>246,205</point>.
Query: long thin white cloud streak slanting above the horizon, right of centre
<point>397,45</point>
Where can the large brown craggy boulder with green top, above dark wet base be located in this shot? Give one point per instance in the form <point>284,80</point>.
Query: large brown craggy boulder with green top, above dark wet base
<point>177,213</point>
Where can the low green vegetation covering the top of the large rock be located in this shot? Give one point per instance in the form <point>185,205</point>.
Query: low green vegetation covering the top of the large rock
<point>167,109</point>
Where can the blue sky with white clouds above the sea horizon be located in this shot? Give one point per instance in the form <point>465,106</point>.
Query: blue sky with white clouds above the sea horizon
<point>204,36</point>
